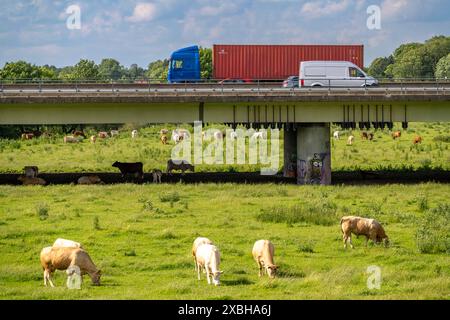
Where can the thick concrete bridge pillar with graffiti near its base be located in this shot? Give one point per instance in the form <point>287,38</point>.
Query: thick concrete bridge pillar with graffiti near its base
<point>313,154</point>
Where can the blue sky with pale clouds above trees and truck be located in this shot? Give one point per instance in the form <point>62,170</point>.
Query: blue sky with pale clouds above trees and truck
<point>141,31</point>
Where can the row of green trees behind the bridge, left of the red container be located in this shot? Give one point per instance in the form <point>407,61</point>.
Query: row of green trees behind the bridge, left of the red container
<point>108,69</point>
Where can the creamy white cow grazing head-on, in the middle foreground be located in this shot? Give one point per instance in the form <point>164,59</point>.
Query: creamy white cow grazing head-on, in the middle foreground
<point>208,259</point>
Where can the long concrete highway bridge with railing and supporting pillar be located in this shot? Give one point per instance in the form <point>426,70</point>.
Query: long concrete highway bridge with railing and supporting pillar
<point>304,114</point>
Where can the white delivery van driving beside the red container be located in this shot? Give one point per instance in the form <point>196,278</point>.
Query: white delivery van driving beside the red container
<point>334,74</point>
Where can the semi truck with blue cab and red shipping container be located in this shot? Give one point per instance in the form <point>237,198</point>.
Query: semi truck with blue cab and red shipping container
<point>257,62</point>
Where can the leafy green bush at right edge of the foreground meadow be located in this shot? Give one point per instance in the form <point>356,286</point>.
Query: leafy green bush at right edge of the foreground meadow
<point>433,233</point>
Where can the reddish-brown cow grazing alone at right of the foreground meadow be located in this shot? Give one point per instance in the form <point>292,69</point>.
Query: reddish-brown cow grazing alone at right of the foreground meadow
<point>370,228</point>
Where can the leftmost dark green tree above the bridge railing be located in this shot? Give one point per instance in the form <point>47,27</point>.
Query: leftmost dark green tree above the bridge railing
<point>24,70</point>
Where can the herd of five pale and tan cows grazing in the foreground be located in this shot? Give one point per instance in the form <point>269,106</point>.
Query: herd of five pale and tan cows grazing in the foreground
<point>64,254</point>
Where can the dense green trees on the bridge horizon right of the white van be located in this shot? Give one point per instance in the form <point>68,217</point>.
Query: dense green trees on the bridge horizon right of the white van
<point>415,60</point>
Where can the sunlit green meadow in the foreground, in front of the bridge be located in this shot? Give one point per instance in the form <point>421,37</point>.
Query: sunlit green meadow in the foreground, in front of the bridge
<point>141,237</point>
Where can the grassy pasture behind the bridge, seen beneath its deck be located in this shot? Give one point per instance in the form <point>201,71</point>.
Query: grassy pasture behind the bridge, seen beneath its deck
<point>52,155</point>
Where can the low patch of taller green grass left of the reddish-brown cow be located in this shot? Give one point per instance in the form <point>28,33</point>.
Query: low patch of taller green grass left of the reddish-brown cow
<point>322,213</point>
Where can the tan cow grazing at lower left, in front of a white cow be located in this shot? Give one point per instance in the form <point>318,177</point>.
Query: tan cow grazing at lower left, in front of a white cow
<point>61,258</point>
